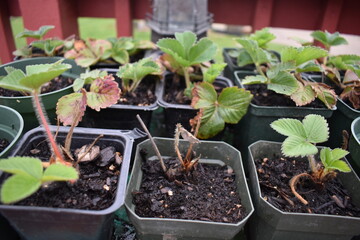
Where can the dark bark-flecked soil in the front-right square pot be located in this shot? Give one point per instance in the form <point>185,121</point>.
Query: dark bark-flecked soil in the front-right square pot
<point>274,175</point>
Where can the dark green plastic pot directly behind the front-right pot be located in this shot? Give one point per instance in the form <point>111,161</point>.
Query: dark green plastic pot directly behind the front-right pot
<point>255,125</point>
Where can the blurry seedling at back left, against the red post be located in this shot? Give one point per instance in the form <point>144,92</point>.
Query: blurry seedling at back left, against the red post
<point>50,46</point>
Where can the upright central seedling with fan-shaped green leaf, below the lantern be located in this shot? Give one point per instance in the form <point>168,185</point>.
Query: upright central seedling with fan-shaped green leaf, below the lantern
<point>186,52</point>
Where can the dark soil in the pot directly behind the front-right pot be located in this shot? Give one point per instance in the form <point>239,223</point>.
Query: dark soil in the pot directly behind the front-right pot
<point>266,97</point>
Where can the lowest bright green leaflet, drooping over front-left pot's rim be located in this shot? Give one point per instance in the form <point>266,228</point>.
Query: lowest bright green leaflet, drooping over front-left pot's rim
<point>18,187</point>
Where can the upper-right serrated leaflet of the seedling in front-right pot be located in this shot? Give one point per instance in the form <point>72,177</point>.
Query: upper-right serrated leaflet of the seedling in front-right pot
<point>316,128</point>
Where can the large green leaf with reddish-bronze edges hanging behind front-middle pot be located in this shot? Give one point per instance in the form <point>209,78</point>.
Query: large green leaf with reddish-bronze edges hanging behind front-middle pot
<point>229,107</point>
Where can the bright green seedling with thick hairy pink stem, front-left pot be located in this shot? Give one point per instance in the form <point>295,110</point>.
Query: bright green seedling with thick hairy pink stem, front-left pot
<point>28,172</point>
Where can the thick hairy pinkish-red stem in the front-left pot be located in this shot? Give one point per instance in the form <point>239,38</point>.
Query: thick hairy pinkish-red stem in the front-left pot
<point>44,122</point>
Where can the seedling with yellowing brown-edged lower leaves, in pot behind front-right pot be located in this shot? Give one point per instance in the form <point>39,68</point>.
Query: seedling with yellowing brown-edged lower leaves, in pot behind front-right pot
<point>285,78</point>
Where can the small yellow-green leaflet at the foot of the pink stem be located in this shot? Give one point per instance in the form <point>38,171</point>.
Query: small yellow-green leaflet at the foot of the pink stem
<point>59,172</point>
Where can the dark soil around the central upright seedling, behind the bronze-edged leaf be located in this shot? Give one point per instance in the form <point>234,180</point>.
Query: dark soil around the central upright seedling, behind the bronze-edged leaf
<point>174,90</point>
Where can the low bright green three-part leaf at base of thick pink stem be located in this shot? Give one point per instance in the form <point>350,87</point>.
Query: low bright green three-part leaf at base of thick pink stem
<point>28,176</point>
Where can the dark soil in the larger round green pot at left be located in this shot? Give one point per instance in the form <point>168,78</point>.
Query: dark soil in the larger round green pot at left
<point>54,85</point>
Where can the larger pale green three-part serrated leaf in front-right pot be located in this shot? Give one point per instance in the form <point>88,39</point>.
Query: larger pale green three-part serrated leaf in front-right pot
<point>302,136</point>
